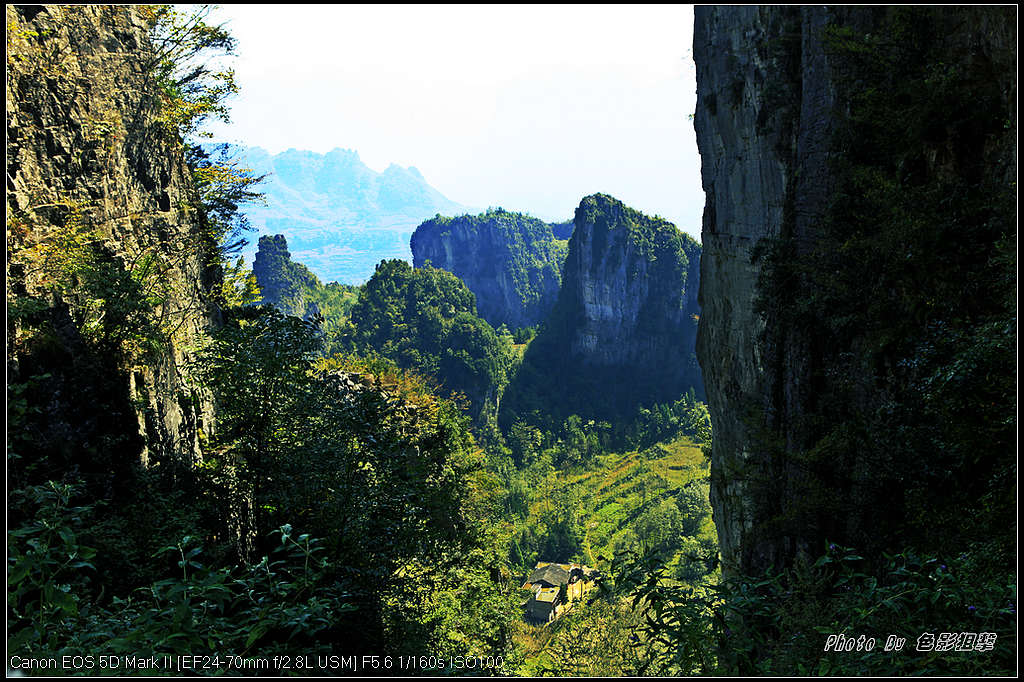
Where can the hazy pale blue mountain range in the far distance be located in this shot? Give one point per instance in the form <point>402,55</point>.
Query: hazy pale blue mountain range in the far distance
<point>340,218</point>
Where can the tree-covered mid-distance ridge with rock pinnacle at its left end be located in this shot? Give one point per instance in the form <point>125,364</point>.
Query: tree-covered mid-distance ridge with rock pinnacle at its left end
<point>423,320</point>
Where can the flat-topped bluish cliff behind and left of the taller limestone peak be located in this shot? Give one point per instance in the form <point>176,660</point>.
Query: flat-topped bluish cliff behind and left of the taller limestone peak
<point>513,263</point>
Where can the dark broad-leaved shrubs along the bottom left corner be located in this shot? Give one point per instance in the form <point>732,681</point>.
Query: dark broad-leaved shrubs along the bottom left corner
<point>57,607</point>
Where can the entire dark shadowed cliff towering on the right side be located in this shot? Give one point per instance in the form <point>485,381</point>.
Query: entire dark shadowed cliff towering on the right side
<point>858,282</point>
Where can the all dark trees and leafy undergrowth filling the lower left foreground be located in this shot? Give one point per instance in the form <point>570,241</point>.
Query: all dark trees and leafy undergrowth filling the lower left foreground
<point>386,474</point>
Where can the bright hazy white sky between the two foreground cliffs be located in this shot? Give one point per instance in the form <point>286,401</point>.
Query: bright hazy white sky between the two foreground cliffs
<point>526,107</point>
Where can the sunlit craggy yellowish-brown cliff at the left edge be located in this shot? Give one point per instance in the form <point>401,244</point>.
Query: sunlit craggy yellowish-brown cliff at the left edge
<point>101,225</point>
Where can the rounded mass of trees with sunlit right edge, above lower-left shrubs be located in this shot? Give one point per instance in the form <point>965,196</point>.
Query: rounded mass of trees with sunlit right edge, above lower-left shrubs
<point>368,459</point>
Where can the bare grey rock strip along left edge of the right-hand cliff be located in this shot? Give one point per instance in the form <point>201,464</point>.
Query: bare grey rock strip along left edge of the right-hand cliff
<point>747,149</point>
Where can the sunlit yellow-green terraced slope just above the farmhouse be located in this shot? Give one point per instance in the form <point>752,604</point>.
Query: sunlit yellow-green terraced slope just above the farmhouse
<point>653,501</point>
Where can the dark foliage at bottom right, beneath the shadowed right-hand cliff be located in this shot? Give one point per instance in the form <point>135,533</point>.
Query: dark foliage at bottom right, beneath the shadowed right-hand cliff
<point>935,618</point>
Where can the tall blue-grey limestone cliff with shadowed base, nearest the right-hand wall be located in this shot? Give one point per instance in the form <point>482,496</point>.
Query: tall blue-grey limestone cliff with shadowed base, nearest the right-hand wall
<point>623,331</point>
